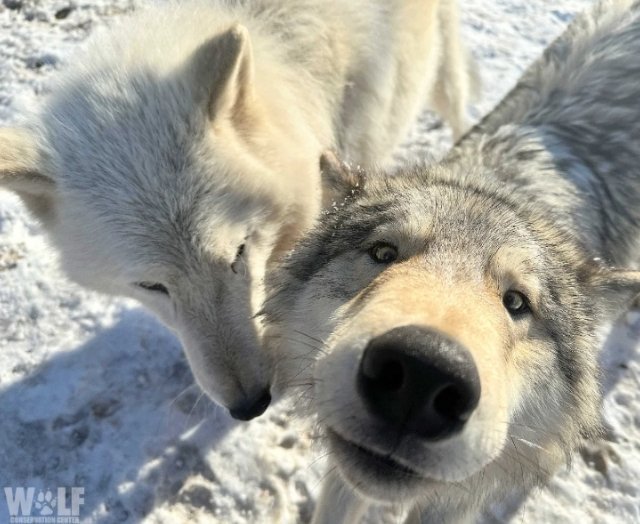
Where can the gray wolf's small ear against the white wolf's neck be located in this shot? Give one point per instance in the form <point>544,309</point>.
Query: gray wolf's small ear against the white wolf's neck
<point>339,179</point>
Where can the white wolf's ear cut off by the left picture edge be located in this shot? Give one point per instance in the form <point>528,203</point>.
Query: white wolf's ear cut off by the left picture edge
<point>22,170</point>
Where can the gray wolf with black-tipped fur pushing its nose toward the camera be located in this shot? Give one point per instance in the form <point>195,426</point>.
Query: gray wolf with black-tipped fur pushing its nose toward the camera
<point>444,323</point>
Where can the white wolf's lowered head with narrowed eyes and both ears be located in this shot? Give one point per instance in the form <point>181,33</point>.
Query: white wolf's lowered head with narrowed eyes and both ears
<point>164,181</point>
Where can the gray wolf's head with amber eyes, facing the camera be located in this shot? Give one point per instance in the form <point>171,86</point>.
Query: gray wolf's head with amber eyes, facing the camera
<point>444,334</point>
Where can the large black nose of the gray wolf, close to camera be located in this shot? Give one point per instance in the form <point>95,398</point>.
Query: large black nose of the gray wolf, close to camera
<point>419,381</point>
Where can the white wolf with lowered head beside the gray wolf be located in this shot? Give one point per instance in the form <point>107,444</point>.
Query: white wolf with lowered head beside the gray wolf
<point>179,155</point>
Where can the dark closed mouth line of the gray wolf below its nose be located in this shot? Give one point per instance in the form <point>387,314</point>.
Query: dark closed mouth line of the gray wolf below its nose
<point>370,463</point>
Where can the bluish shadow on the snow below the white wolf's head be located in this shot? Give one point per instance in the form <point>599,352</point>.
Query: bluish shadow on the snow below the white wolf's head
<point>110,416</point>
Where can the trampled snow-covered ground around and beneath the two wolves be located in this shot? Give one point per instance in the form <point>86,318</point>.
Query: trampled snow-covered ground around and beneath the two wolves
<point>95,393</point>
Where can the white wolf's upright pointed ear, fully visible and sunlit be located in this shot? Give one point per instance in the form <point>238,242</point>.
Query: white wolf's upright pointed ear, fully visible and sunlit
<point>223,73</point>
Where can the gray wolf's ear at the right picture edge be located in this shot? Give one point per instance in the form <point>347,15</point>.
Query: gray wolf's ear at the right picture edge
<point>614,289</point>
